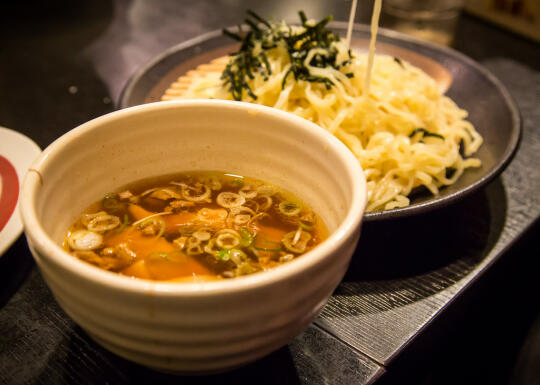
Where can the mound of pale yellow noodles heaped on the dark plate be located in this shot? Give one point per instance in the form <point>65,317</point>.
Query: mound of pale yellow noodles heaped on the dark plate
<point>405,133</point>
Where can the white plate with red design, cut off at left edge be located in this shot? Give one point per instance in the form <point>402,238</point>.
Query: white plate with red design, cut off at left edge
<point>17,152</point>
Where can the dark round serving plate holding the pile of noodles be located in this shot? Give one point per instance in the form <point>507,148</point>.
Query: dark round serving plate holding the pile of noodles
<point>472,87</point>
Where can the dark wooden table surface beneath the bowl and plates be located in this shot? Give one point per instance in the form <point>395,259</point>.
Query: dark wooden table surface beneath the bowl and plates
<point>402,314</point>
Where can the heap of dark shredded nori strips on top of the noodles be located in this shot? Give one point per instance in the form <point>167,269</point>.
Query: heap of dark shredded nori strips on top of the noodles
<point>245,63</point>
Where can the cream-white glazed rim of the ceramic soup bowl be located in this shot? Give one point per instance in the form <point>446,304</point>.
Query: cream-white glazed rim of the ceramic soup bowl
<point>50,250</point>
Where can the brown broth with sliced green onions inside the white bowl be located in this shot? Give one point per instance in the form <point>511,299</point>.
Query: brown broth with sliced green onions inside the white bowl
<point>194,227</point>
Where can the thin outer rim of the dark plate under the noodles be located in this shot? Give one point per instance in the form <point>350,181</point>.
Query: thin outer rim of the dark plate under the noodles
<point>437,202</point>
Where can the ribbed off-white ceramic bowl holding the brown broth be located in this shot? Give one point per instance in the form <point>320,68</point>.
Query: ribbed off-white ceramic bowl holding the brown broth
<point>193,327</point>
